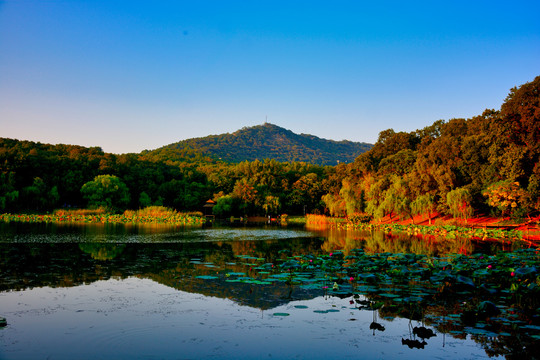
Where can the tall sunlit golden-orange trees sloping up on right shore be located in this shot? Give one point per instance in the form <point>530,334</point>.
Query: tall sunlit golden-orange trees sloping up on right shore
<point>486,164</point>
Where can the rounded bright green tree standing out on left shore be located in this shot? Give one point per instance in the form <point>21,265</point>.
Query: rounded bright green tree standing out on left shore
<point>106,191</point>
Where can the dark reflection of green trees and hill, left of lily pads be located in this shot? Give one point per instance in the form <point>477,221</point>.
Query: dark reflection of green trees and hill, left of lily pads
<point>176,265</point>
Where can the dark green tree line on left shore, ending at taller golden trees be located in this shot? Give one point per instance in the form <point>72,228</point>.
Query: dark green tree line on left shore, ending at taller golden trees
<point>41,177</point>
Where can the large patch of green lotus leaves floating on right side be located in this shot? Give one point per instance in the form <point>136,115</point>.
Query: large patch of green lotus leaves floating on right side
<point>486,292</point>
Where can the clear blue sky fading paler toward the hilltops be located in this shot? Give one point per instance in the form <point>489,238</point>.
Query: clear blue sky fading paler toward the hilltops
<point>135,75</point>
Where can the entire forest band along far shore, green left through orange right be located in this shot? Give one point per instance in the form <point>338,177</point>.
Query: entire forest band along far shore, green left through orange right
<point>486,164</point>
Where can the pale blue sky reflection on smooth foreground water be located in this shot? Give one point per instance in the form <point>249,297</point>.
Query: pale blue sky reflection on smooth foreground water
<point>139,318</point>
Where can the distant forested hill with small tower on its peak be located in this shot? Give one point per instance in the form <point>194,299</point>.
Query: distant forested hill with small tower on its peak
<point>261,142</point>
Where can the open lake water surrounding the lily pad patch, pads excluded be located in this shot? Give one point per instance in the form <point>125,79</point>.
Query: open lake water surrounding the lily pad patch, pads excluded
<point>155,292</point>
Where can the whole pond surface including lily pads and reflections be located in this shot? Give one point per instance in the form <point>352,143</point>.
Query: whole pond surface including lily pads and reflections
<point>125,291</point>
